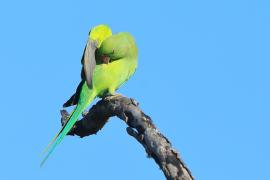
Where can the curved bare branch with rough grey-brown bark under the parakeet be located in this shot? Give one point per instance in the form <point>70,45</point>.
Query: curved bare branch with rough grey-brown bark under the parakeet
<point>140,126</point>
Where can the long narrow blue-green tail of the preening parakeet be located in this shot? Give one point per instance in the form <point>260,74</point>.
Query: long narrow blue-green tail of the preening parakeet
<point>87,99</point>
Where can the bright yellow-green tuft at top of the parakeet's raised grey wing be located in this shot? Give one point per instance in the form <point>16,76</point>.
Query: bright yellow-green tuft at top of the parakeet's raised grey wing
<point>99,33</point>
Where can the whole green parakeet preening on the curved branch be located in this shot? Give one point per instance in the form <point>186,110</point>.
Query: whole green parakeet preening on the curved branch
<point>108,62</point>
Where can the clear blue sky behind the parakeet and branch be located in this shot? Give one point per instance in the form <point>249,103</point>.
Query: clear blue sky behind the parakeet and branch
<point>203,77</point>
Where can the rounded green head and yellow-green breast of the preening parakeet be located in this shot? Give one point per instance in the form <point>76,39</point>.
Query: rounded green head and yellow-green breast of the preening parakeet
<point>123,54</point>
